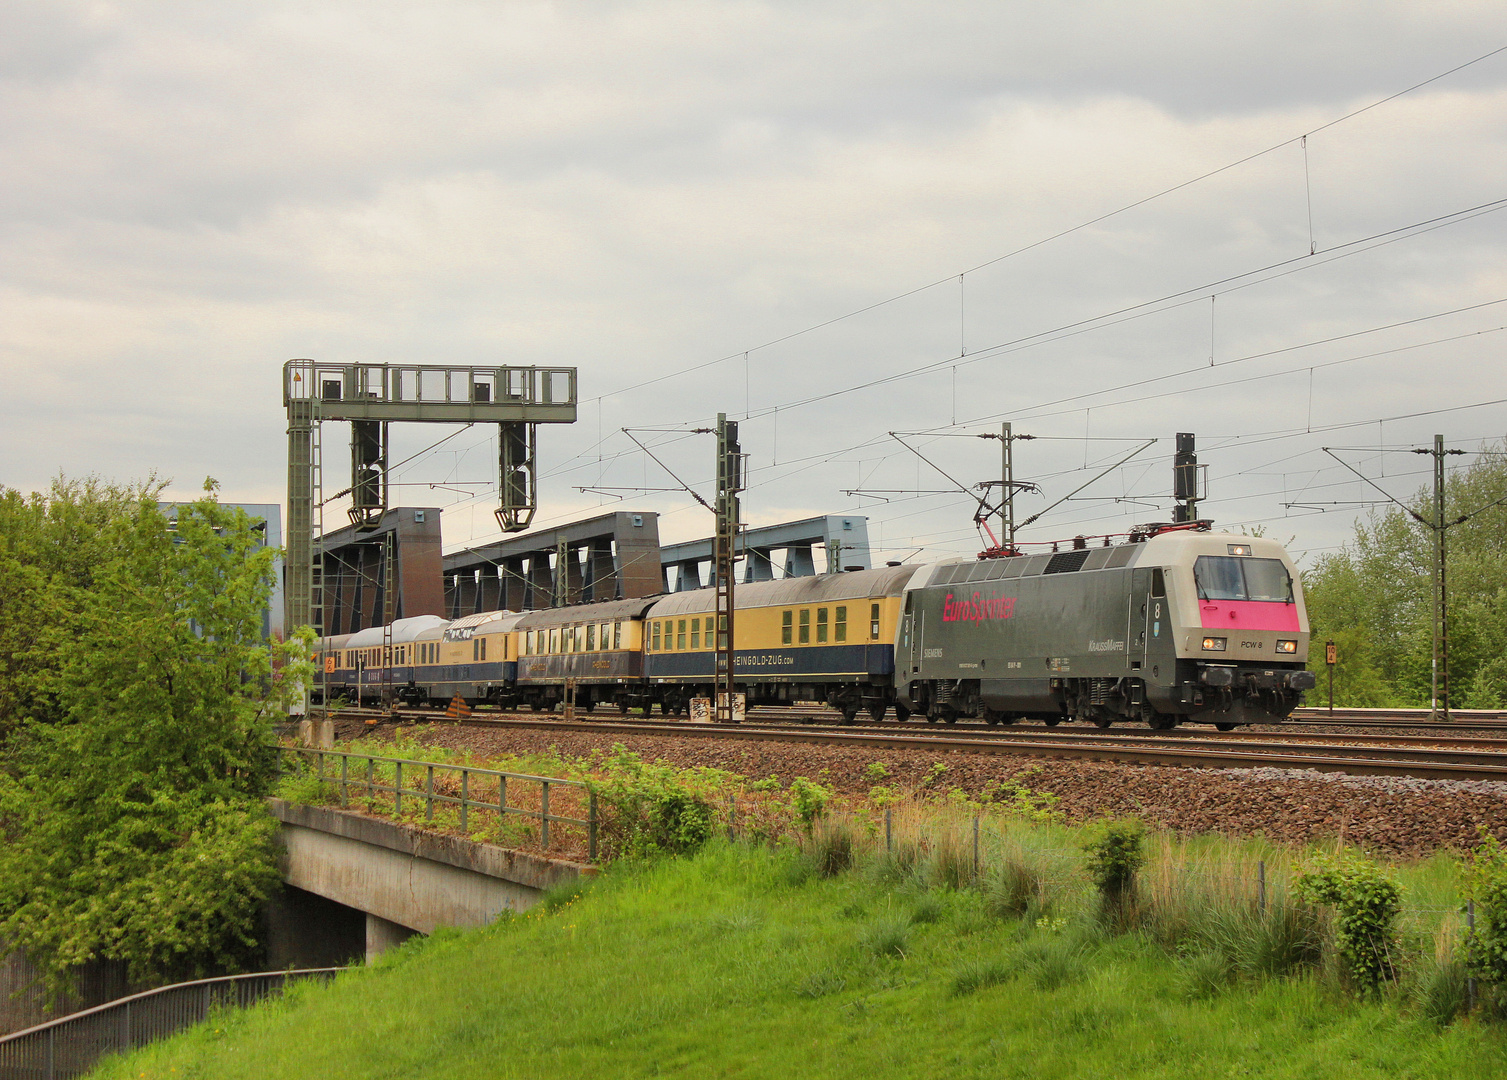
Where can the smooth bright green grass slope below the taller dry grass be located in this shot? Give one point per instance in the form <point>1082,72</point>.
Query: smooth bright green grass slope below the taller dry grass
<point>742,963</point>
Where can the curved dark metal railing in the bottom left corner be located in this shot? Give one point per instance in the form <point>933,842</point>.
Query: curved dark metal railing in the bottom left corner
<point>73,1046</point>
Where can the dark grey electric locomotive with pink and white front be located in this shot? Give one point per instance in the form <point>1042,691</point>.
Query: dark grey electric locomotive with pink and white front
<point>1187,626</point>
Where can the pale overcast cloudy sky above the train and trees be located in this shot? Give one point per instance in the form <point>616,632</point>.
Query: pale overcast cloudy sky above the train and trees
<point>194,194</point>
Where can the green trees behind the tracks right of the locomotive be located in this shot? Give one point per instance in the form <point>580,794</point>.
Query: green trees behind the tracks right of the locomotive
<point>1375,599</point>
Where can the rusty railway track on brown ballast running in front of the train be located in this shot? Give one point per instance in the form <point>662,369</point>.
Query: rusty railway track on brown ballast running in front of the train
<point>1393,755</point>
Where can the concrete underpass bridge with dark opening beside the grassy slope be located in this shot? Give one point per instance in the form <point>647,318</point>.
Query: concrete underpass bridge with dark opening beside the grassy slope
<point>359,886</point>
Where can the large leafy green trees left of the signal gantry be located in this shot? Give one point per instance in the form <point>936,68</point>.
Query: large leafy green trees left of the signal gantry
<point>138,700</point>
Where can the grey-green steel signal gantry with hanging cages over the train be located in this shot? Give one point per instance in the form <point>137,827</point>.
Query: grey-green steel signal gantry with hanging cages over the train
<point>371,397</point>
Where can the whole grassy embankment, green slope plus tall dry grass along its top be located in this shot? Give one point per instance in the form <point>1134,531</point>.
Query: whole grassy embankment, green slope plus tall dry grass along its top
<point>750,962</point>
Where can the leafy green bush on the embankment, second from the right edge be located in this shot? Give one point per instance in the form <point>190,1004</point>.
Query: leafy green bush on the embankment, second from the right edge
<point>1366,906</point>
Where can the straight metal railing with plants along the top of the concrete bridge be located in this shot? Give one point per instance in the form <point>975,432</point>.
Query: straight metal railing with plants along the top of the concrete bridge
<point>370,779</point>
